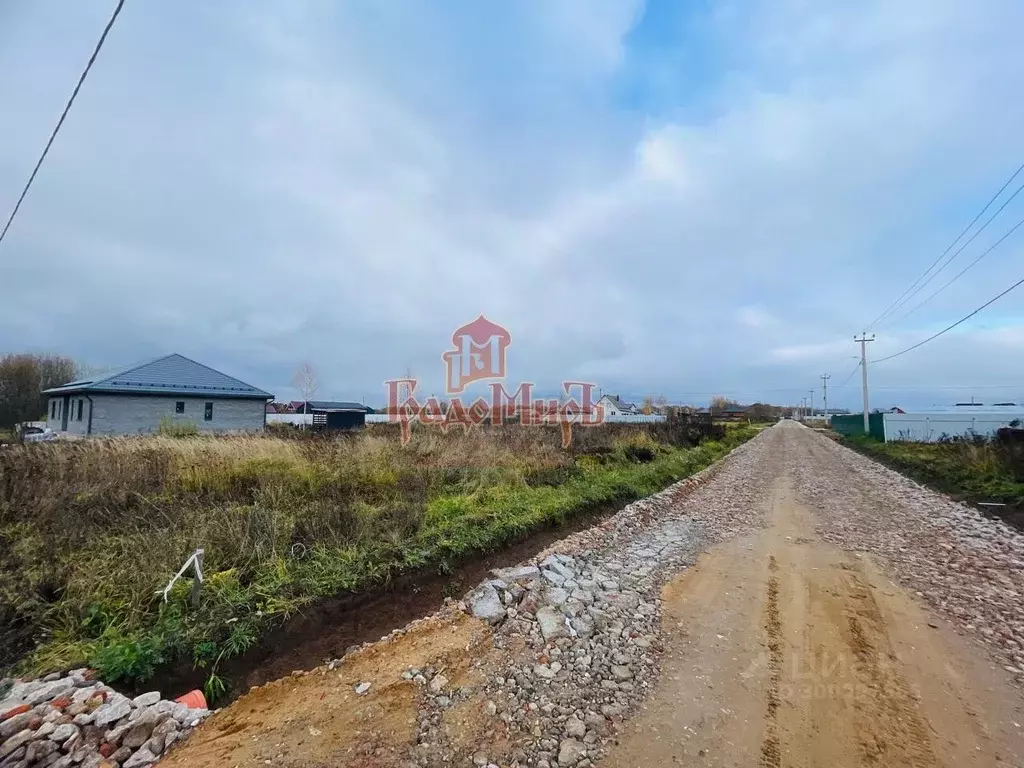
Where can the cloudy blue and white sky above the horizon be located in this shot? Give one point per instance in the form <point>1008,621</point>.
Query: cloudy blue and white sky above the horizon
<point>665,199</point>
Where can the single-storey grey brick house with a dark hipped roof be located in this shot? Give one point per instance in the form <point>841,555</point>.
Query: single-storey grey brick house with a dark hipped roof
<point>138,400</point>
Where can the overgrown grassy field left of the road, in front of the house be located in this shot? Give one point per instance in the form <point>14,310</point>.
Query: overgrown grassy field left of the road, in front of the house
<point>92,531</point>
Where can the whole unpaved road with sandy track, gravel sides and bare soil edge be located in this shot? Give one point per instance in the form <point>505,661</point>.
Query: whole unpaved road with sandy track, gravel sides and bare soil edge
<point>840,616</point>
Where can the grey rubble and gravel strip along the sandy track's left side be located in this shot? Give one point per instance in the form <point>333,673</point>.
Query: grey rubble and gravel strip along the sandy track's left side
<point>584,620</point>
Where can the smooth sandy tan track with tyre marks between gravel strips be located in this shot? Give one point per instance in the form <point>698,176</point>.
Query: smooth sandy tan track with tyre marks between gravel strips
<point>784,651</point>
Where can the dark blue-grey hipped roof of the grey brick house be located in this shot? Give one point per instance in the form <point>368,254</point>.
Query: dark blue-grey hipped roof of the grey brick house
<point>173,374</point>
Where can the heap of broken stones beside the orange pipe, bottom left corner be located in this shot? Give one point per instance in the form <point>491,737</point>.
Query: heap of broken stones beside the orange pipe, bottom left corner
<point>74,720</point>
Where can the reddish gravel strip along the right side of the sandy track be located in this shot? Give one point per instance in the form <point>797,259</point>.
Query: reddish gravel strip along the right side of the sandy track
<point>967,567</point>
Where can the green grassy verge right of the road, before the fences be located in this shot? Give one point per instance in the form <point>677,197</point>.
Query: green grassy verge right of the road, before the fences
<point>972,471</point>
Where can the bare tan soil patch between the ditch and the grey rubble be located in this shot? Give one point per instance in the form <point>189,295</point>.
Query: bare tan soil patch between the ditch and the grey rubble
<point>318,719</point>
